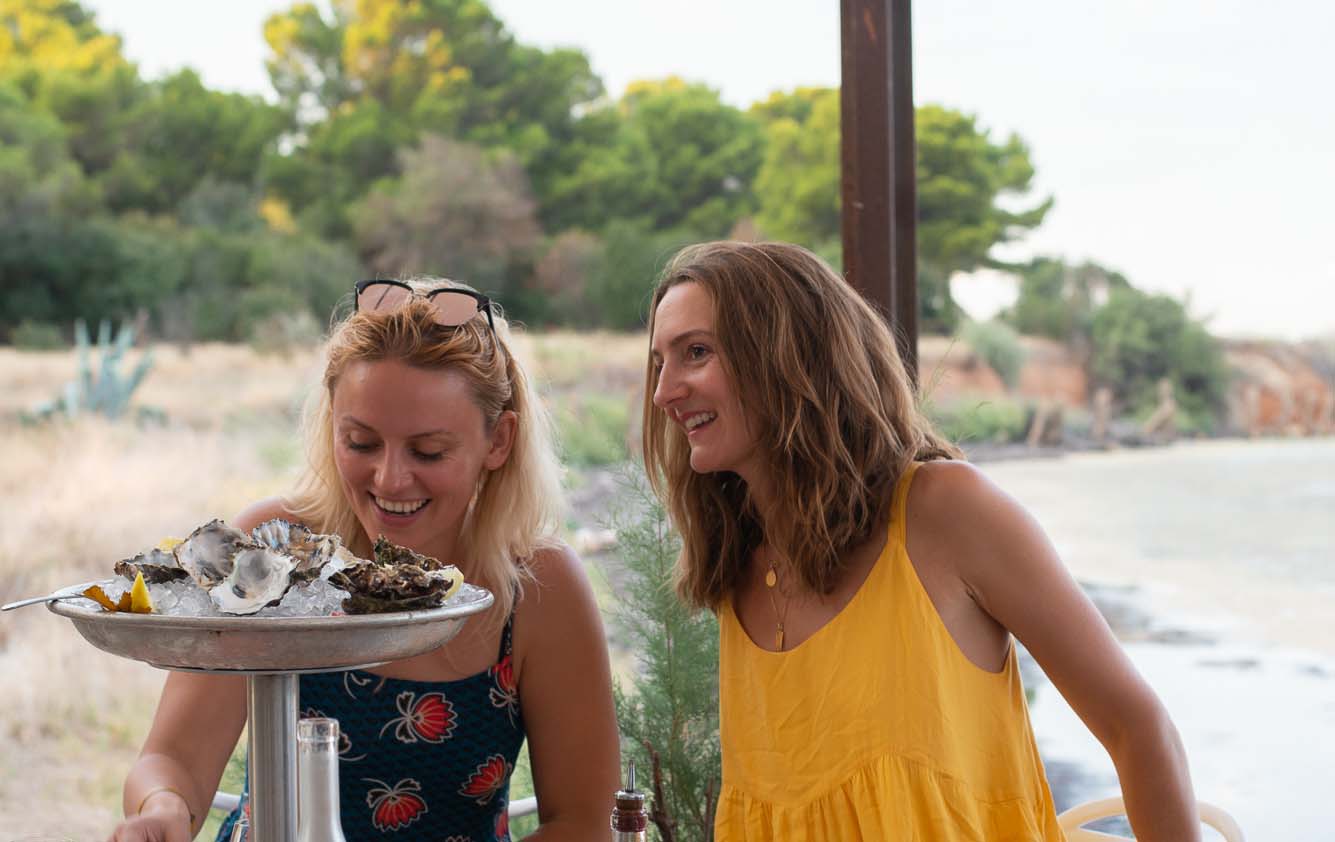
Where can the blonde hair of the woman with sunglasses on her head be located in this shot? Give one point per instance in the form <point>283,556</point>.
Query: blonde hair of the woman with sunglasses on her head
<point>516,509</point>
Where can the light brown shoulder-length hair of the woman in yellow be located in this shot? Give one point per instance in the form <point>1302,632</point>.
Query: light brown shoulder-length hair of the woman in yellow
<point>826,396</point>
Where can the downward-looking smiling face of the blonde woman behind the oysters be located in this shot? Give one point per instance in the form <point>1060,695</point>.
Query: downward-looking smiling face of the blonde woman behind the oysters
<point>411,446</point>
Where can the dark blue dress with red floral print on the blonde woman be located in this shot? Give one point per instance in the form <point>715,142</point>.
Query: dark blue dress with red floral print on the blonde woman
<point>420,760</point>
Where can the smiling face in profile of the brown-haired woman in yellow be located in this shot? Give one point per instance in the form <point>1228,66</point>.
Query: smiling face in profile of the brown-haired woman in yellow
<point>695,389</point>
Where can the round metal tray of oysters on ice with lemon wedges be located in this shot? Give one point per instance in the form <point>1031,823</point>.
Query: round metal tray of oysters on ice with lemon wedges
<point>277,600</point>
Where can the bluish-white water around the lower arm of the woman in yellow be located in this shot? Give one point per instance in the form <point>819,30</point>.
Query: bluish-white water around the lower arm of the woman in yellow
<point>1249,717</point>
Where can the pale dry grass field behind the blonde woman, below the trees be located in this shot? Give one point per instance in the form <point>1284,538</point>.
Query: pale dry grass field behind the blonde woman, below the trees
<point>75,497</point>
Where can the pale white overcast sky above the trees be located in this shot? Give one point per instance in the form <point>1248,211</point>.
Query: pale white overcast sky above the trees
<point>1187,143</point>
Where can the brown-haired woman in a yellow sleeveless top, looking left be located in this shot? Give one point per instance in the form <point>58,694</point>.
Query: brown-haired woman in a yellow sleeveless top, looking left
<point>867,580</point>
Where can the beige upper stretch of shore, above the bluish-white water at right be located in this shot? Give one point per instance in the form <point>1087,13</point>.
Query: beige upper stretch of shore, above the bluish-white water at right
<point>1202,564</point>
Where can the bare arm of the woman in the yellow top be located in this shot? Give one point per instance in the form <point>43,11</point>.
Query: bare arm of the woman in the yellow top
<point>1013,573</point>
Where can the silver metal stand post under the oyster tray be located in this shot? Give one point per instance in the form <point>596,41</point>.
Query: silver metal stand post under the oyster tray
<point>272,703</point>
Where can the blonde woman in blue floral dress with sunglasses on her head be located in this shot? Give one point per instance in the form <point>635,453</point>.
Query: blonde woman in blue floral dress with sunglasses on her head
<point>428,432</point>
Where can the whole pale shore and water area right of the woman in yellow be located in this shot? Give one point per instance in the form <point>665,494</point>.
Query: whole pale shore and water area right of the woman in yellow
<point>1213,564</point>
